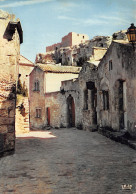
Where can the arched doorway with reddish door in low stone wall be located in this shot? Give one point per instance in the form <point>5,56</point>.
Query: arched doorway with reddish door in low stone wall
<point>71,111</point>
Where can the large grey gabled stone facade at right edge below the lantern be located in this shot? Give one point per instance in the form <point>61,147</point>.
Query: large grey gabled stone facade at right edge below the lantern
<point>119,81</point>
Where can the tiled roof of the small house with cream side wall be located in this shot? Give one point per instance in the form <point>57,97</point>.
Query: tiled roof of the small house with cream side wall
<point>58,69</point>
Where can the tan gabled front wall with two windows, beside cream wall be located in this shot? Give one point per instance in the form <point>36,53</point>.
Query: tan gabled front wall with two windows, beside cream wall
<point>37,99</point>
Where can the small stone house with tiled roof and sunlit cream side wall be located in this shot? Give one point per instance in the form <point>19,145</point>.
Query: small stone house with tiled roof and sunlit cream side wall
<point>45,101</point>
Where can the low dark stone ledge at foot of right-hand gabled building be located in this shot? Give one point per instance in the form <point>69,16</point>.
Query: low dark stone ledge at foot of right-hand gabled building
<point>118,137</point>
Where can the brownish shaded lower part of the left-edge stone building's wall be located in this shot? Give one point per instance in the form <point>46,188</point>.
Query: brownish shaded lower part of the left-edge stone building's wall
<point>7,117</point>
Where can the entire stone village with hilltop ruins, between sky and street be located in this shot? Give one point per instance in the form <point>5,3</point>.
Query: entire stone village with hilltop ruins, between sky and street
<point>82,83</point>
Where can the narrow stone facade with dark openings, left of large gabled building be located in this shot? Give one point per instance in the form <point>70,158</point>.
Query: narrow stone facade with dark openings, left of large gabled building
<point>87,76</point>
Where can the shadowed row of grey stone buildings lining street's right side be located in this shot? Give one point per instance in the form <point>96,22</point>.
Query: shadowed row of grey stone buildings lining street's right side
<point>104,93</point>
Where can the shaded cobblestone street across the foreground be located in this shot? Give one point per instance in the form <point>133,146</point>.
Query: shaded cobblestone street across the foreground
<point>68,161</point>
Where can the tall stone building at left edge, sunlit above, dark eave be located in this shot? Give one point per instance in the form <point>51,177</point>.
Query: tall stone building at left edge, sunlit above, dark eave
<point>11,36</point>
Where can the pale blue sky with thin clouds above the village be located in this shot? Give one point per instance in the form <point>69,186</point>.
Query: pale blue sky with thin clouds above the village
<point>45,22</point>
